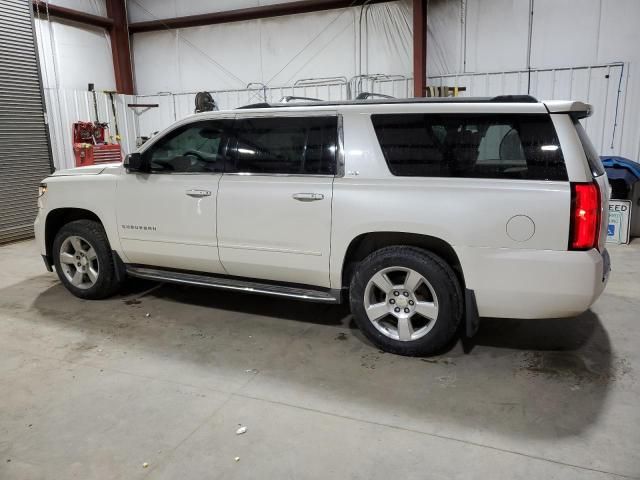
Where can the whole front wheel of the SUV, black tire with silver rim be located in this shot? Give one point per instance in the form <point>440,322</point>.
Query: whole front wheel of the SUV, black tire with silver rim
<point>83,260</point>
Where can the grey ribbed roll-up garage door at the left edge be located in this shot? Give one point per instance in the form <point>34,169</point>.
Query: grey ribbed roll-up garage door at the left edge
<point>25,157</point>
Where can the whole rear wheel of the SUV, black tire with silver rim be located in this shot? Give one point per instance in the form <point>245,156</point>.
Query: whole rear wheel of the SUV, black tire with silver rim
<point>418,321</point>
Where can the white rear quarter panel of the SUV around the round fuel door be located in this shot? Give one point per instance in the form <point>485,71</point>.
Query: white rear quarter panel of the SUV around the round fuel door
<point>469,214</point>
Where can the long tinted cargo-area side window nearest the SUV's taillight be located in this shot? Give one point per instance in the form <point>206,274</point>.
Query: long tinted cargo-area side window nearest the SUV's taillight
<point>523,146</point>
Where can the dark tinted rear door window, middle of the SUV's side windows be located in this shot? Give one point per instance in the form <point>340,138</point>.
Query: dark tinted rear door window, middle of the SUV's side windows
<point>295,145</point>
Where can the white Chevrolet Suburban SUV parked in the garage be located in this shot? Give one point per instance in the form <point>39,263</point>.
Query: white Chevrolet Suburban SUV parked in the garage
<point>421,213</point>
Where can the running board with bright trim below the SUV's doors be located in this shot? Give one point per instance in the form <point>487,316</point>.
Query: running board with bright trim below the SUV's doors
<point>300,293</point>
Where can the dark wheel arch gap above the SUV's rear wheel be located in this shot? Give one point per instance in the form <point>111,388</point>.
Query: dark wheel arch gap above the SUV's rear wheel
<point>367,243</point>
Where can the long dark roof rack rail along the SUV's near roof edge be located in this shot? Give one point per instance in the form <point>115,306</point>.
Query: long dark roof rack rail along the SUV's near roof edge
<point>383,101</point>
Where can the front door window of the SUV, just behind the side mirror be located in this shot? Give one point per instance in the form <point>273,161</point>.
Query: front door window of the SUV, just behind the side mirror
<point>192,148</point>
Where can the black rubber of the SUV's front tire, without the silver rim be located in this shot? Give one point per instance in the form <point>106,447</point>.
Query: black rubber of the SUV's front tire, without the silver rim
<point>106,283</point>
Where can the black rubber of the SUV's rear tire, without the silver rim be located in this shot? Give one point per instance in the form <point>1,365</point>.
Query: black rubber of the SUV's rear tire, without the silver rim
<point>440,277</point>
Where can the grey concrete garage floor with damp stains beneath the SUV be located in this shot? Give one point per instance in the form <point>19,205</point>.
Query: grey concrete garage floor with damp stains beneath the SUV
<point>164,375</point>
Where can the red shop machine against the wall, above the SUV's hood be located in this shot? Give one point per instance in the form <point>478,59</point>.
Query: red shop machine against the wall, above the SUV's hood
<point>89,145</point>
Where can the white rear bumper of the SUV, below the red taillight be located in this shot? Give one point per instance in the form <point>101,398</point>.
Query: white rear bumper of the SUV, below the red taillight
<point>510,283</point>
